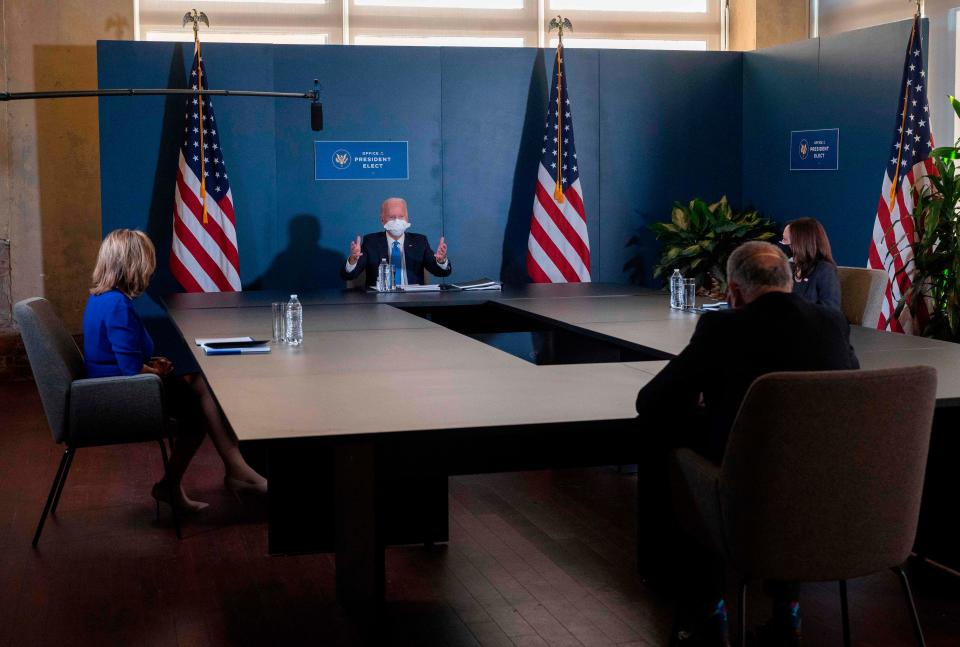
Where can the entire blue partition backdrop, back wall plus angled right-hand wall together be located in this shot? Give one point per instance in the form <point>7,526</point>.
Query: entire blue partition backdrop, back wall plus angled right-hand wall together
<point>651,128</point>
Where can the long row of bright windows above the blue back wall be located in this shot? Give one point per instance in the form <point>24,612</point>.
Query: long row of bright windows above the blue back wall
<point>619,24</point>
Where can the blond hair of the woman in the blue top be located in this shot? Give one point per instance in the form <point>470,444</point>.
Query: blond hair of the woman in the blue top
<point>126,261</point>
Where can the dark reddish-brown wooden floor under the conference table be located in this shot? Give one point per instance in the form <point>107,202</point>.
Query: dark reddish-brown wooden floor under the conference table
<point>537,558</point>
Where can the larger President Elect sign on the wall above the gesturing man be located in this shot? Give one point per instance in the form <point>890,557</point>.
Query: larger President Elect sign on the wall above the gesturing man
<point>360,160</point>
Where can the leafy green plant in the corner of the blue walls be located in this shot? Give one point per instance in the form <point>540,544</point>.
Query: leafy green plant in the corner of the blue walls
<point>700,237</point>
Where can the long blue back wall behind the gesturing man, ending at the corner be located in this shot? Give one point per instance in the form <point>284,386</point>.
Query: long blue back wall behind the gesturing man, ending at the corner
<point>474,119</point>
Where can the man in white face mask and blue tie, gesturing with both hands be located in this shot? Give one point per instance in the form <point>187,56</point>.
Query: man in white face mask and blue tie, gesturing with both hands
<point>407,253</point>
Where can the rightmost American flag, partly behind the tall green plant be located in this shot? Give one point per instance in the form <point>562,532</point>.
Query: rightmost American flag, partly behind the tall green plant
<point>908,168</point>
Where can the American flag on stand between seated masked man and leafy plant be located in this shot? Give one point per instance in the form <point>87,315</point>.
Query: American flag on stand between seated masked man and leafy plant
<point>558,249</point>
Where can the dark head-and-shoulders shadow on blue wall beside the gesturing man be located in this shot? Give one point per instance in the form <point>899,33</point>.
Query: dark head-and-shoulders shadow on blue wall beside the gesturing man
<point>304,265</point>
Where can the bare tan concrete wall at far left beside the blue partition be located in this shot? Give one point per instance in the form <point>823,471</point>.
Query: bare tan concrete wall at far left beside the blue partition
<point>50,152</point>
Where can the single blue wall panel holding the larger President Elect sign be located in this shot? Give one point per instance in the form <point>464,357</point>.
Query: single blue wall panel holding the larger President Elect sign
<point>368,94</point>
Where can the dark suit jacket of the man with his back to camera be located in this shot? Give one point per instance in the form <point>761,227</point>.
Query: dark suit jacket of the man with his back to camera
<point>728,351</point>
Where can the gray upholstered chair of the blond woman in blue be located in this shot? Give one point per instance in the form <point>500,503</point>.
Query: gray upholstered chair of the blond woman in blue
<point>86,412</point>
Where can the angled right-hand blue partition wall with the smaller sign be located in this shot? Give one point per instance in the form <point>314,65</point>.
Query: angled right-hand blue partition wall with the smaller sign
<point>851,82</point>
